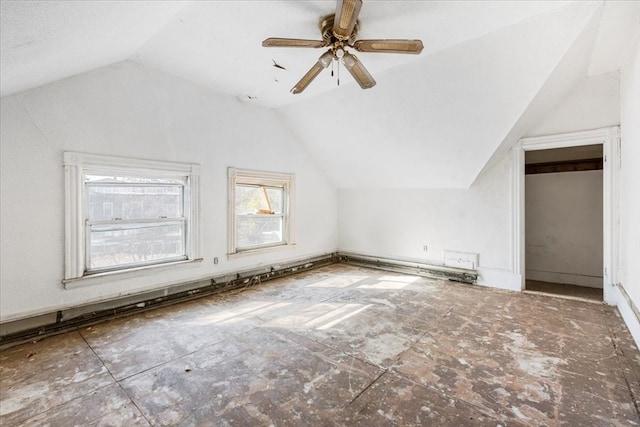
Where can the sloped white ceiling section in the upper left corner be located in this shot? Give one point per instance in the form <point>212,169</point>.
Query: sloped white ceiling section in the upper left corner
<point>45,41</point>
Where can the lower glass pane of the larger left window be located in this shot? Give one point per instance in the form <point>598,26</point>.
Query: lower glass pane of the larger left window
<point>125,244</point>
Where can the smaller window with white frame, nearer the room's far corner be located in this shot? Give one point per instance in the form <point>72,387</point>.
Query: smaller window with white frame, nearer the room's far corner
<point>260,210</point>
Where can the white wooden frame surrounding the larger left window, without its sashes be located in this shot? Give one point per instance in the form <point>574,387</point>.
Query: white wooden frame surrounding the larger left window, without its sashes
<point>77,165</point>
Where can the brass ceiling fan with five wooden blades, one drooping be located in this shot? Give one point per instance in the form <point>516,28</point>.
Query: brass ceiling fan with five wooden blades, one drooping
<point>339,32</point>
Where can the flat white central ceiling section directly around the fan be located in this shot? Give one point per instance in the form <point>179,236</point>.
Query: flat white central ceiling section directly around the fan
<point>219,43</point>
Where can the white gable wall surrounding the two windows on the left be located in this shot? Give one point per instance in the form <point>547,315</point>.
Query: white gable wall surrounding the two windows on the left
<point>132,111</point>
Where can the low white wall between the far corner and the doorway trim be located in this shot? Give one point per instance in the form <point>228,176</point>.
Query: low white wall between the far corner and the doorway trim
<point>398,223</point>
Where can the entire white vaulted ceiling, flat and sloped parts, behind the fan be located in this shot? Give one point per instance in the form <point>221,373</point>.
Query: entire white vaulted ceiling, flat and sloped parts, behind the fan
<point>488,72</point>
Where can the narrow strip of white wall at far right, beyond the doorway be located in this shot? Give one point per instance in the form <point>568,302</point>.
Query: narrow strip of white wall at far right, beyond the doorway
<point>629,258</point>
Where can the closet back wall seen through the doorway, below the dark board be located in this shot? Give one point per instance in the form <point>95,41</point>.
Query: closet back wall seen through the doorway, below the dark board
<point>563,228</point>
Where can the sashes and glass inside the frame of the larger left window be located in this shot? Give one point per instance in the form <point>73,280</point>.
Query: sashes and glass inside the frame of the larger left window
<point>133,221</point>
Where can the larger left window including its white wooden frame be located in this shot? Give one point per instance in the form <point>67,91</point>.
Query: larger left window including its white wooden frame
<point>125,213</point>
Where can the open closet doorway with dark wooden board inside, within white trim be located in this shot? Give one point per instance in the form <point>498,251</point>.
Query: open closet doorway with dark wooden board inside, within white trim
<point>564,221</point>
